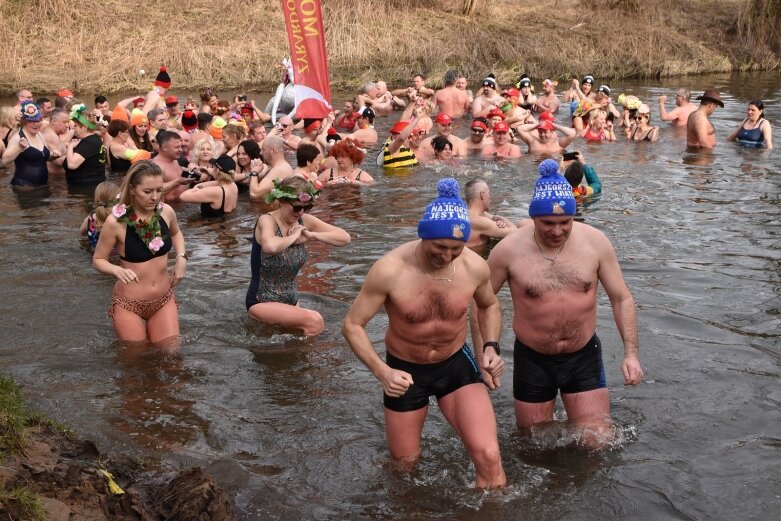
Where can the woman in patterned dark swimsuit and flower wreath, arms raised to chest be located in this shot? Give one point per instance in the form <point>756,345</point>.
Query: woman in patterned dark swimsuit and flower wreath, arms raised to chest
<point>279,253</point>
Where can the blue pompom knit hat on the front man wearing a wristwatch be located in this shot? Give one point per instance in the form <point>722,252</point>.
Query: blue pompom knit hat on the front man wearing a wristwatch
<point>447,216</point>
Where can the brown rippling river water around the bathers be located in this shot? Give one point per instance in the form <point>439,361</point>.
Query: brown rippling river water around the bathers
<point>294,428</point>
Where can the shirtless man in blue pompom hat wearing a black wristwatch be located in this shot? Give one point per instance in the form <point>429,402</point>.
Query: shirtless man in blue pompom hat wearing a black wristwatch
<point>426,287</point>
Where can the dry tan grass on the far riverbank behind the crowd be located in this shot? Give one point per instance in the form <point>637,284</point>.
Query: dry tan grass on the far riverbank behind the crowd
<point>101,47</point>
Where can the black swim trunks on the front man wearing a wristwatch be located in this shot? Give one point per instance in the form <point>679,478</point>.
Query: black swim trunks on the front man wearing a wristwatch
<point>439,379</point>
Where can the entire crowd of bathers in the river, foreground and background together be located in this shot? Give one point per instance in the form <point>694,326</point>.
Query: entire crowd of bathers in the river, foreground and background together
<point>210,154</point>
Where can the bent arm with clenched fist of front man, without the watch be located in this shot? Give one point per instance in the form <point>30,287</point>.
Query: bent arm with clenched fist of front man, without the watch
<point>368,302</point>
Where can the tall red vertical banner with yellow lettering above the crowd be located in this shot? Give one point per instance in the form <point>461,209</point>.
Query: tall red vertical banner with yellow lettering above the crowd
<point>306,37</point>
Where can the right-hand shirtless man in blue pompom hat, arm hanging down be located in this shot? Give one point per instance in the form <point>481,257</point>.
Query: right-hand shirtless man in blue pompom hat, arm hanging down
<point>553,269</point>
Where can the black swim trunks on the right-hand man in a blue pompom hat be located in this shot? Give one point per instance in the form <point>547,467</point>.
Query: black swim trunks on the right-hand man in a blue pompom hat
<point>537,378</point>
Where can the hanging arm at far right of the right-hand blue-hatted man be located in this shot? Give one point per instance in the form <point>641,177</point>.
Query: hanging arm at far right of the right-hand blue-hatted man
<point>624,311</point>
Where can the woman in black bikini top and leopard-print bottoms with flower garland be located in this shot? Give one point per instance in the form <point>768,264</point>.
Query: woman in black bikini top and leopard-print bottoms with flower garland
<point>144,230</point>
